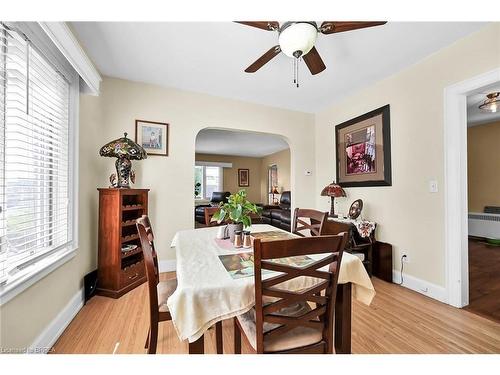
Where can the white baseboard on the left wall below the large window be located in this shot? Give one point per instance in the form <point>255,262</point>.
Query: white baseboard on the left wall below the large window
<point>44,342</point>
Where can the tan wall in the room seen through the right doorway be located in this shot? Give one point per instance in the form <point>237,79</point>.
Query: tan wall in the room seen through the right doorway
<point>483,166</point>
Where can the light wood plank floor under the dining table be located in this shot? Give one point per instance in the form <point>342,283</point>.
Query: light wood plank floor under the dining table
<point>398,321</point>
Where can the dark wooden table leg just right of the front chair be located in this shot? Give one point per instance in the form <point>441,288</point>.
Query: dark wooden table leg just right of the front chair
<point>343,319</point>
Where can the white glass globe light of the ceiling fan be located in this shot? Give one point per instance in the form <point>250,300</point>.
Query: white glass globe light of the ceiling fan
<point>297,38</point>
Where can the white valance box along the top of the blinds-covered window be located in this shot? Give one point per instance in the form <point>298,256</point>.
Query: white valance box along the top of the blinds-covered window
<point>64,39</point>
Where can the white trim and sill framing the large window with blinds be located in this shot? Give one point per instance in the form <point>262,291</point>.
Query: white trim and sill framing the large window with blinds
<point>33,273</point>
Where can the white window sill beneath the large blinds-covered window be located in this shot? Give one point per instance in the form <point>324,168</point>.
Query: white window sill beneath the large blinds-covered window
<point>30,275</point>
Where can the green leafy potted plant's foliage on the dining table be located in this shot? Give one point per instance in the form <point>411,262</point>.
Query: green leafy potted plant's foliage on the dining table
<point>237,209</point>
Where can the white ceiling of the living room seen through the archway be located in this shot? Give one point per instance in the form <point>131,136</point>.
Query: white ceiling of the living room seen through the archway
<point>238,143</point>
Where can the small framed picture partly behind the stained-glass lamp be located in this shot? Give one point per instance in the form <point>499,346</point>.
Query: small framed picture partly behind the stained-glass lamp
<point>152,136</point>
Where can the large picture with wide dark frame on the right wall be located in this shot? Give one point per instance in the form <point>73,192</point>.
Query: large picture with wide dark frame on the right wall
<point>364,150</point>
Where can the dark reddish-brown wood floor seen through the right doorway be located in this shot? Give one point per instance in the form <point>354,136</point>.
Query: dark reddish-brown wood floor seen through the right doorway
<point>484,280</point>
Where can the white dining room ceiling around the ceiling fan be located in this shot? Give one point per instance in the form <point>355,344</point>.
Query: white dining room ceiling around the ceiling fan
<point>210,57</point>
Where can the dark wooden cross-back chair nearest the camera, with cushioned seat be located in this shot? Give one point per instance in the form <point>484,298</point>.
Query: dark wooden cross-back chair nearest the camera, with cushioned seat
<point>295,322</point>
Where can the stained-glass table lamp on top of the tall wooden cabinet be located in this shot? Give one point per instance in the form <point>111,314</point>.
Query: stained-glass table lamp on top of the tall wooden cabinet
<point>124,149</point>
